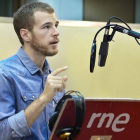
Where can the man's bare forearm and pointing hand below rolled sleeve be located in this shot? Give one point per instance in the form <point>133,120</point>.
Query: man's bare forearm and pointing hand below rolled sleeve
<point>53,85</point>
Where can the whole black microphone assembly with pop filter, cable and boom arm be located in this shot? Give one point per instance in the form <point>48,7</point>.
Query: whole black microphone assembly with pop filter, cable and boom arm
<point>103,52</point>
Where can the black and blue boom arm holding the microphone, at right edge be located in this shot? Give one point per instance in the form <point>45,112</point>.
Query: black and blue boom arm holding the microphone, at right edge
<point>127,31</point>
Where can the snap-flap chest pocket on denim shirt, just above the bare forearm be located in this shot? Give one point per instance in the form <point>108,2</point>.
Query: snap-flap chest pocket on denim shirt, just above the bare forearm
<point>29,97</point>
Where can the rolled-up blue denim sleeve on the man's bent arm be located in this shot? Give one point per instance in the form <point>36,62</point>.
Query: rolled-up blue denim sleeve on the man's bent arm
<point>13,126</point>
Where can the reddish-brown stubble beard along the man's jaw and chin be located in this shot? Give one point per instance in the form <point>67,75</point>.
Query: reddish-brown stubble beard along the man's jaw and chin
<point>41,49</point>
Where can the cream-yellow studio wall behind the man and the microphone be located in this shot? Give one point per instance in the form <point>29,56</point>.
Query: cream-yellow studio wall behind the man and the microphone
<point>120,78</point>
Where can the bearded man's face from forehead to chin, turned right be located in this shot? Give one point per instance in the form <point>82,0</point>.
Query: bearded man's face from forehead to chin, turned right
<point>45,34</point>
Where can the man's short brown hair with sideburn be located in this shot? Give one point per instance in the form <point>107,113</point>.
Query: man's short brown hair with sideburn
<point>24,17</point>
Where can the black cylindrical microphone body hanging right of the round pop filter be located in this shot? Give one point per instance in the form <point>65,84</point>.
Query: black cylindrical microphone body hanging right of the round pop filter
<point>104,48</point>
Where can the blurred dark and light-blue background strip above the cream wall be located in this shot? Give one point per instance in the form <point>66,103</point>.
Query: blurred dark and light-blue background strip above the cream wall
<point>84,10</point>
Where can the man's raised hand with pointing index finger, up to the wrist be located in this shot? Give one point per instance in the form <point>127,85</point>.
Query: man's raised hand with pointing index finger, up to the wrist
<point>54,84</point>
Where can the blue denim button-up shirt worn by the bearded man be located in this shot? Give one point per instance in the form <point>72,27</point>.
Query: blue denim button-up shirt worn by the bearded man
<point>21,82</point>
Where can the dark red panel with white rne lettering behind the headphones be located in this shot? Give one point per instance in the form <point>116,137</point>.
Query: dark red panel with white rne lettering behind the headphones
<point>117,118</point>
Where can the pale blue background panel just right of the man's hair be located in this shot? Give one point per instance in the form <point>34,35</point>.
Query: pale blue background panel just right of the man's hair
<point>67,9</point>
